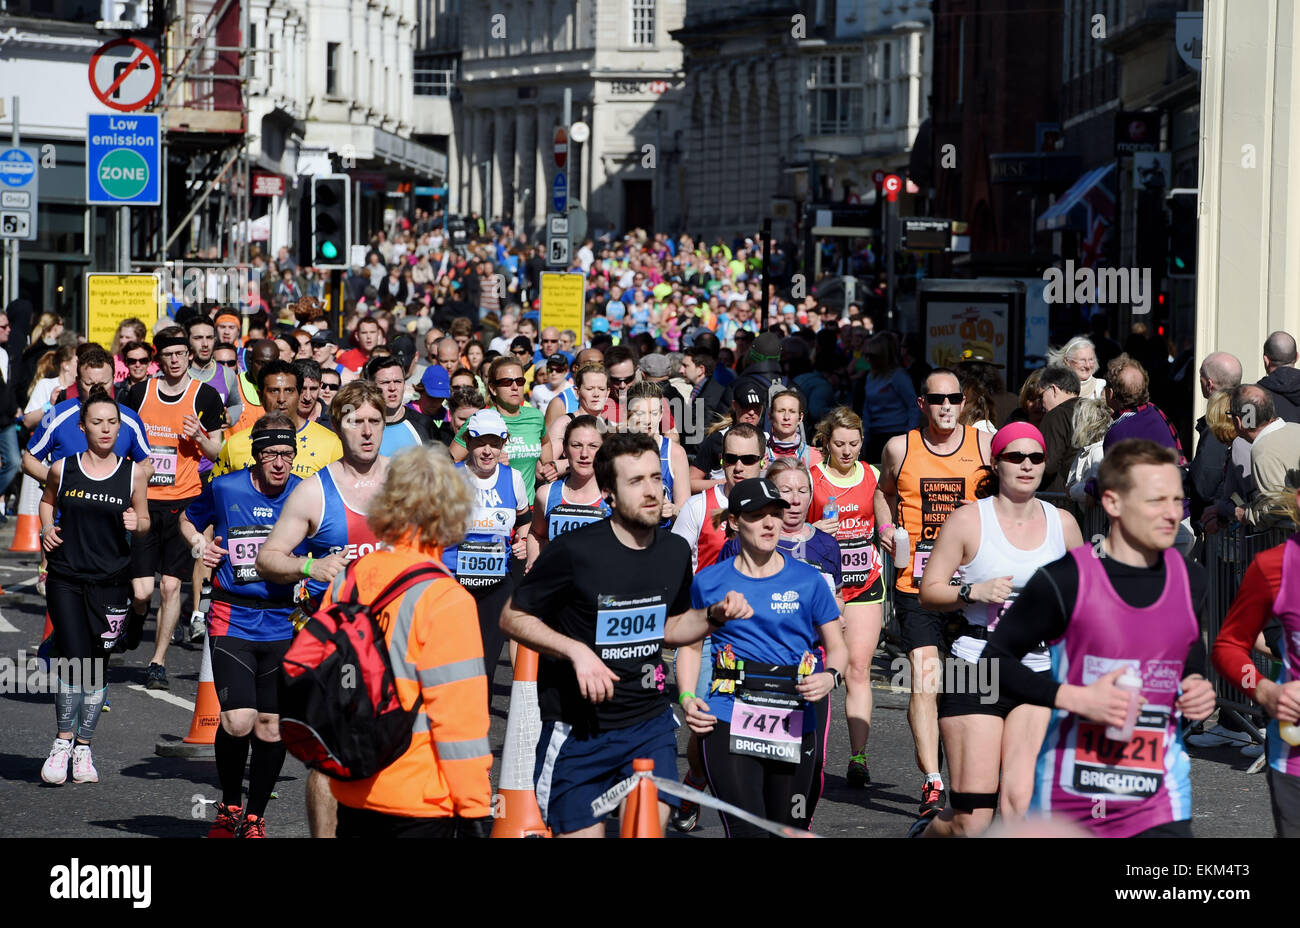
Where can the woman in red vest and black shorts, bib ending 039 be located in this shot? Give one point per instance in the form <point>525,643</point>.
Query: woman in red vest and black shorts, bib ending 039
<point>843,505</point>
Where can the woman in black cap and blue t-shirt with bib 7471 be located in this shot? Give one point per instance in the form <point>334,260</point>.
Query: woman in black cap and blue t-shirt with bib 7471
<point>761,739</point>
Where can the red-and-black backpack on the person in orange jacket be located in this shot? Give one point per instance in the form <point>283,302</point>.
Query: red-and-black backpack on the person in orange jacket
<point>340,708</point>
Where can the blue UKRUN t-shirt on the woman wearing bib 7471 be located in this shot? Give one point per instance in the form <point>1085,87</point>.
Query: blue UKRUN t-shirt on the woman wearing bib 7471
<point>790,608</point>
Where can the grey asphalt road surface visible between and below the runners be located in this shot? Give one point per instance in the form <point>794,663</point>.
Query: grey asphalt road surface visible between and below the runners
<point>149,796</point>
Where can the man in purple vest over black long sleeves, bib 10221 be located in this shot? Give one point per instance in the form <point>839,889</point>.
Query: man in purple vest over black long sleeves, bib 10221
<point>1125,612</point>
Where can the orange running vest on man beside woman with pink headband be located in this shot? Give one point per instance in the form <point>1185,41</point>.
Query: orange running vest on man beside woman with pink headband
<point>930,487</point>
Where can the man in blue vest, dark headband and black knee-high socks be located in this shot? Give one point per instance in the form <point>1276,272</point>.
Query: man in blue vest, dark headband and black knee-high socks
<point>249,623</point>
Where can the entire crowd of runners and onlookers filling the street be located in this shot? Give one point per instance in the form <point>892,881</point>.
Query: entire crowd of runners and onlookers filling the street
<point>707,508</point>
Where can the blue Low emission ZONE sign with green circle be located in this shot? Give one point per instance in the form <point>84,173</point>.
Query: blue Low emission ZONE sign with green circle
<point>123,161</point>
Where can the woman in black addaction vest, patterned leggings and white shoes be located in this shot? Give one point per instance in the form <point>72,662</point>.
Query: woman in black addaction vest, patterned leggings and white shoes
<point>98,501</point>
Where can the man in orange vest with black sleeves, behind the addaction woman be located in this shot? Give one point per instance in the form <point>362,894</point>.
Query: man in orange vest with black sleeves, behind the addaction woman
<point>184,420</point>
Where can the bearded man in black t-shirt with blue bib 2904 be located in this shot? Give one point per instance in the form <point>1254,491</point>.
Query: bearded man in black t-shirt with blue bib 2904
<point>613,595</point>
